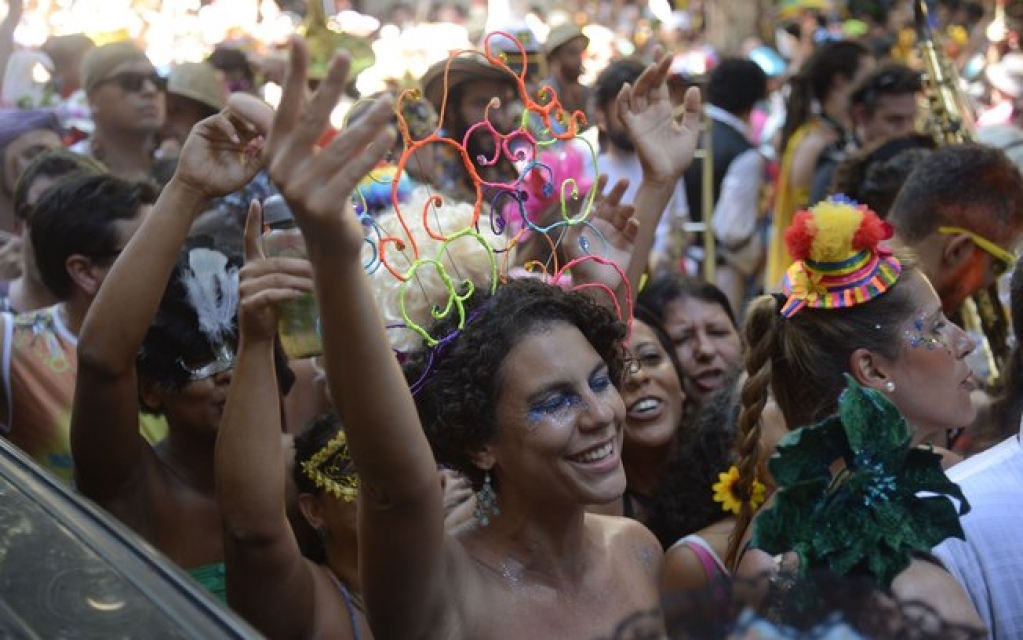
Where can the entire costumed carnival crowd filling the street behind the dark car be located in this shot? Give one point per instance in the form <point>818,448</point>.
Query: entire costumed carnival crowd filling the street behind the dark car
<point>633,349</point>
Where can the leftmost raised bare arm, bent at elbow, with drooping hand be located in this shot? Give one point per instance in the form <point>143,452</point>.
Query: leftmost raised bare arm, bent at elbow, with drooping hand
<point>106,443</point>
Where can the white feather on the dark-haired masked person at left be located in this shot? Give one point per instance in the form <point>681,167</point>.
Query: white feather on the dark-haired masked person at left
<point>213,292</point>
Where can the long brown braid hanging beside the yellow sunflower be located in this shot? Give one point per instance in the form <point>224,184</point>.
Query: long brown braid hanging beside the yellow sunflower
<point>762,331</point>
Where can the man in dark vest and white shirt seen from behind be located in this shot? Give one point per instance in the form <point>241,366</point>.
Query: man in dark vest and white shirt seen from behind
<point>734,88</point>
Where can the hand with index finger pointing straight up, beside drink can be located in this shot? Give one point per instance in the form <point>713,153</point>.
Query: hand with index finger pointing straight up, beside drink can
<point>266,283</point>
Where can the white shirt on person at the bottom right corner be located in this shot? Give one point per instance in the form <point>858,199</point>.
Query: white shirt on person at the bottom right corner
<point>990,563</point>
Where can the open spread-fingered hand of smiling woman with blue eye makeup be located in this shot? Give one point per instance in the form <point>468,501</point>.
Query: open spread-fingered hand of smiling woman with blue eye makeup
<point>319,184</point>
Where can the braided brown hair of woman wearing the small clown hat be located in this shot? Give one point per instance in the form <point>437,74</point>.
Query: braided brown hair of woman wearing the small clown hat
<point>802,362</point>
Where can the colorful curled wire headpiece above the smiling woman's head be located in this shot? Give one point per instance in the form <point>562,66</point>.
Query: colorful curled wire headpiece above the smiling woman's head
<point>553,164</point>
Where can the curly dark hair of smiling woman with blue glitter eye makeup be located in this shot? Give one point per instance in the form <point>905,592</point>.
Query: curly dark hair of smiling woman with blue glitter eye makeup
<point>459,382</point>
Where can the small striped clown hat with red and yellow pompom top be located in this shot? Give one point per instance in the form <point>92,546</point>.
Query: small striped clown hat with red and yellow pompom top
<point>839,258</point>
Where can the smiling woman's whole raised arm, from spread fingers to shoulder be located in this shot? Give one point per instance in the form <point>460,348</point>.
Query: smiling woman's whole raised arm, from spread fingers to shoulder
<point>402,529</point>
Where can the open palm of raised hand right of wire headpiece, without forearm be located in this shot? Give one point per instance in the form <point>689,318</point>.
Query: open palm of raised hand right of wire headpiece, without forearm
<point>665,146</point>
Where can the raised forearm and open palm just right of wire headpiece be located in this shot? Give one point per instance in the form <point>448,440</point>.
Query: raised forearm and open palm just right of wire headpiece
<point>665,148</point>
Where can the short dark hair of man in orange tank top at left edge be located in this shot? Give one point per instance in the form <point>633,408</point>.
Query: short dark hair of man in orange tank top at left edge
<point>78,216</point>
